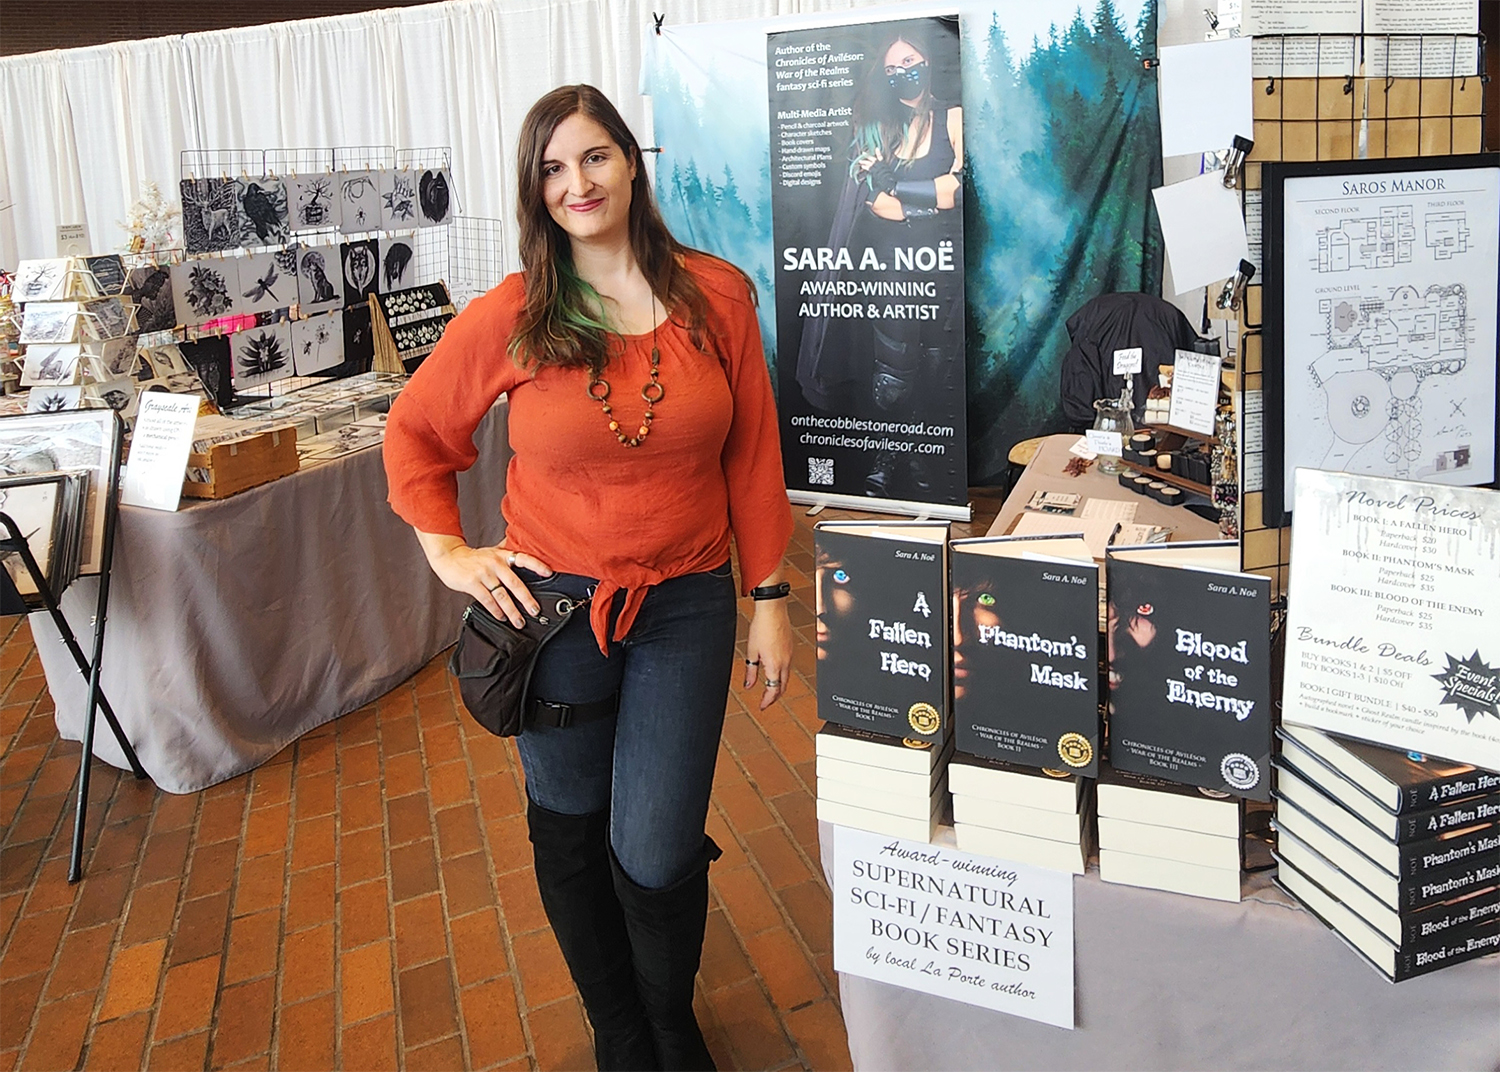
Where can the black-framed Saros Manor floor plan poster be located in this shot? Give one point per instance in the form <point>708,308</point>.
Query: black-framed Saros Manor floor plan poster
<point>1381,334</point>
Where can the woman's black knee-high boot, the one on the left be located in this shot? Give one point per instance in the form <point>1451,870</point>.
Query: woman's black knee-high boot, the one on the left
<point>578,893</point>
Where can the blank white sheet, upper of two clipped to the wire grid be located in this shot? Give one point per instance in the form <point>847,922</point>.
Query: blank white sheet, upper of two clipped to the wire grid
<point>1205,97</point>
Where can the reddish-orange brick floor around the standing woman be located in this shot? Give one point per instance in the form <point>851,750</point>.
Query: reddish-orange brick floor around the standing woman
<point>367,902</point>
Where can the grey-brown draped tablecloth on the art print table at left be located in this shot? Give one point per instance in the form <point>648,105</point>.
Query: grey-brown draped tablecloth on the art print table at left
<point>239,626</point>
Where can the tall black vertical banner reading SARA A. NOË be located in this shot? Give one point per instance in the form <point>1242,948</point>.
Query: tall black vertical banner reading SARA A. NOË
<point>868,221</point>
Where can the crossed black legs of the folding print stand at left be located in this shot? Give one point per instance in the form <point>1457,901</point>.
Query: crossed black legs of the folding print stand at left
<point>14,540</point>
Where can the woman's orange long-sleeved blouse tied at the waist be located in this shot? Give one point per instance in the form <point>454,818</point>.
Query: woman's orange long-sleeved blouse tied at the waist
<point>575,497</point>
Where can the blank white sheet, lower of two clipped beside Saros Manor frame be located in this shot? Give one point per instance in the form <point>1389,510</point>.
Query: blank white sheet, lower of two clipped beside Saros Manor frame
<point>1202,229</point>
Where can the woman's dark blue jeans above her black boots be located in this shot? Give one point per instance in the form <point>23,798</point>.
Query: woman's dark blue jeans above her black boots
<point>652,767</point>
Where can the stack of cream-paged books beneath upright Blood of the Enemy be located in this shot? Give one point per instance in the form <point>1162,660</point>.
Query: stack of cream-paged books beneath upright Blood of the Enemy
<point>1180,839</point>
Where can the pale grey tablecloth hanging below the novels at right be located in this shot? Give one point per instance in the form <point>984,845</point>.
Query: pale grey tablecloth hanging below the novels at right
<point>1181,983</point>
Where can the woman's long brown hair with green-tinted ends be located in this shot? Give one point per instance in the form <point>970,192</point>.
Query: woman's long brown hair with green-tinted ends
<point>560,323</point>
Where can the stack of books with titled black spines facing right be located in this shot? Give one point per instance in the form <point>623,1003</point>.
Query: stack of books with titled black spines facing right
<point>1396,852</point>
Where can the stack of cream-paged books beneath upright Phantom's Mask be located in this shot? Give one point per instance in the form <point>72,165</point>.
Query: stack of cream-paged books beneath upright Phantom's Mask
<point>1039,818</point>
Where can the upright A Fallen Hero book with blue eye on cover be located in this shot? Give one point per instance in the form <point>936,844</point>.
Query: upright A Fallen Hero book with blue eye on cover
<point>883,627</point>
